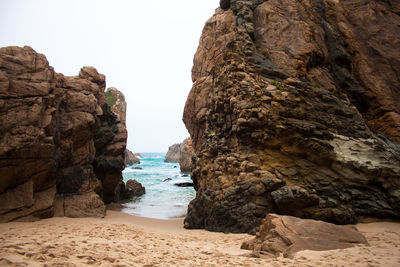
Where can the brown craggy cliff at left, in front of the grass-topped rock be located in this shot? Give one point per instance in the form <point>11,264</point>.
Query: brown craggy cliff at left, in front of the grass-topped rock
<point>57,136</point>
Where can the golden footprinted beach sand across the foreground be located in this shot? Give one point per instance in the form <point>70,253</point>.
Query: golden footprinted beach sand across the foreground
<point>124,240</point>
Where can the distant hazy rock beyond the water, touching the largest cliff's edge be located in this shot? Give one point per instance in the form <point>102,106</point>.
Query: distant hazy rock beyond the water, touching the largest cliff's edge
<point>181,153</point>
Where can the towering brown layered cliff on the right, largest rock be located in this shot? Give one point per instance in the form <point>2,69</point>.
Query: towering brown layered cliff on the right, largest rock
<point>294,110</point>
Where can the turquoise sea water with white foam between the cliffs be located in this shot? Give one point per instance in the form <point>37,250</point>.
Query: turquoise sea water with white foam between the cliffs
<point>163,199</point>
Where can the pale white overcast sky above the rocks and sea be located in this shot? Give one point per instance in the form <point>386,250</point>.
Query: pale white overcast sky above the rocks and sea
<point>145,49</point>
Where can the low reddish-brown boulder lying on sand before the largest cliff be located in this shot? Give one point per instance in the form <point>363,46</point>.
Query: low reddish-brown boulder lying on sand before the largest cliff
<point>287,235</point>
